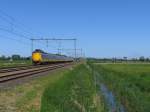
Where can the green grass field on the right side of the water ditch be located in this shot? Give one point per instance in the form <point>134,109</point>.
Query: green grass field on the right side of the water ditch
<point>130,84</point>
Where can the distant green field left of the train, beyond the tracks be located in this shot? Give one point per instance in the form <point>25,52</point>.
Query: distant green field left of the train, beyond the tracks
<point>7,63</point>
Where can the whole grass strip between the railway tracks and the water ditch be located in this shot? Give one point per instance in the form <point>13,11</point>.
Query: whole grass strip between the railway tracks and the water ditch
<point>69,90</point>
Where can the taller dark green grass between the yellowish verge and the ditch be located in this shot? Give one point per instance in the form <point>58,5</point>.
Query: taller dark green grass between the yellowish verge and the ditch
<point>74,92</point>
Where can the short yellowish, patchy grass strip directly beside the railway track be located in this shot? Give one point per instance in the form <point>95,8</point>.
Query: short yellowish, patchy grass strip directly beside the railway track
<point>27,97</point>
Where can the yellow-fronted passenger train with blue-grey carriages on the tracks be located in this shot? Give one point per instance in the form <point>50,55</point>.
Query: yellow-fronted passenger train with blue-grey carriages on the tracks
<point>40,57</point>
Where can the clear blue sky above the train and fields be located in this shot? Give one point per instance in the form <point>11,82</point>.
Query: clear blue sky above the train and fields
<point>103,28</point>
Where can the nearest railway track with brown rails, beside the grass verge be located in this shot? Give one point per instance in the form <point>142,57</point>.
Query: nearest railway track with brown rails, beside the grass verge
<point>10,76</point>
